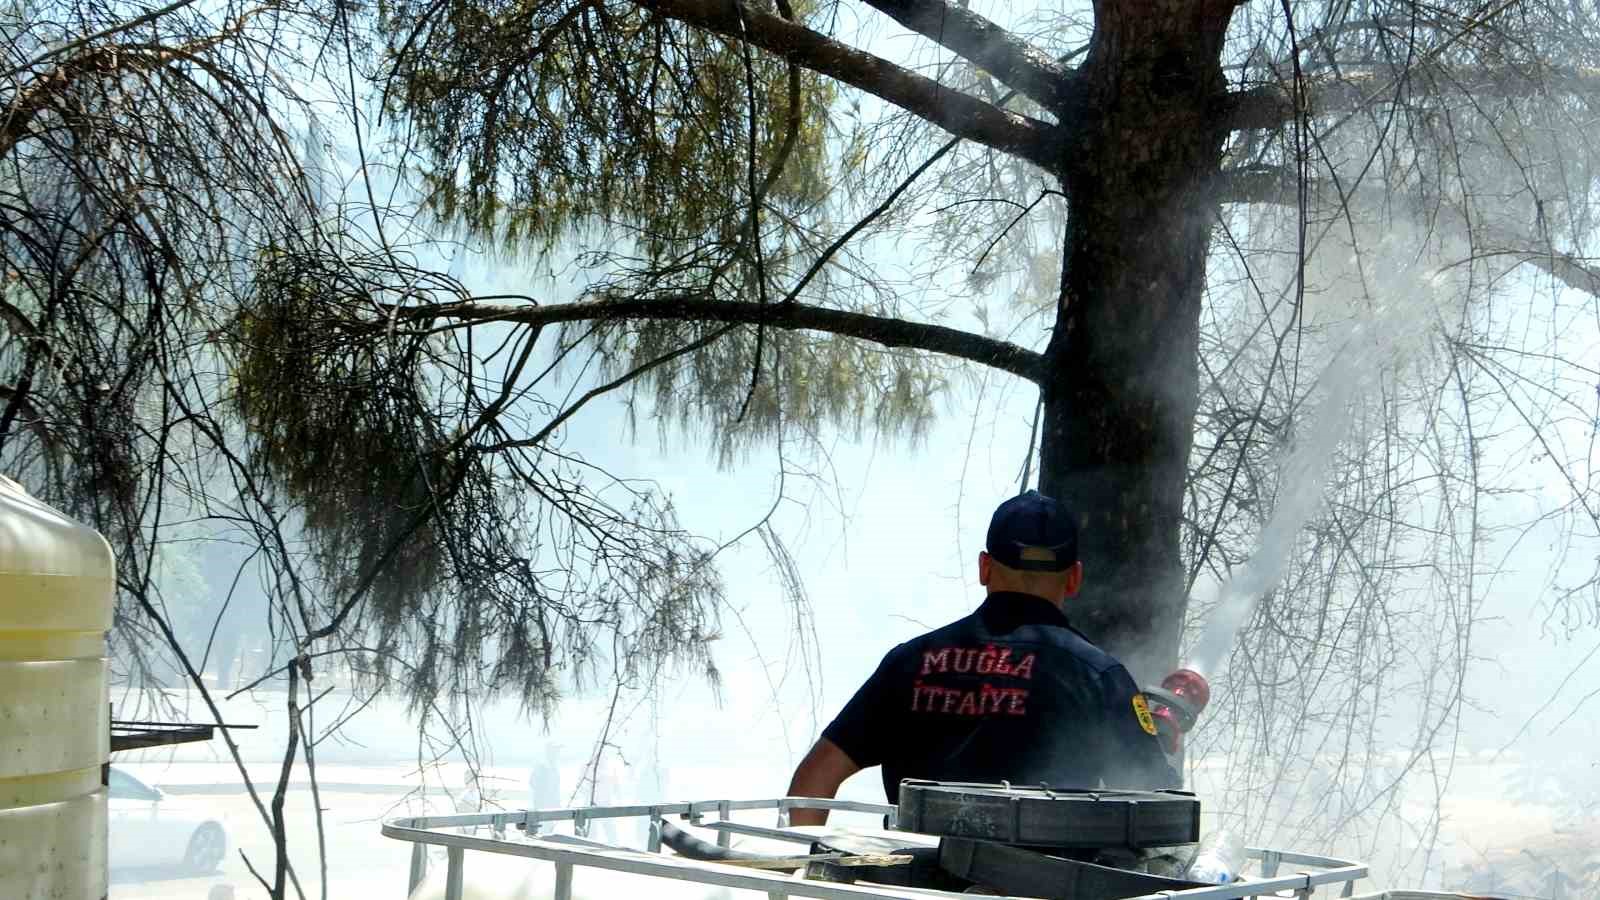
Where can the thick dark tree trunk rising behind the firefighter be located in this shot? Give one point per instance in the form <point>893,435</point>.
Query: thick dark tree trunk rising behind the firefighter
<point>1122,376</point>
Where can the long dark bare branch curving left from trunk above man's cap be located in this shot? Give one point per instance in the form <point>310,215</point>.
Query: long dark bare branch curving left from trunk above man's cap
<point>790,316</point>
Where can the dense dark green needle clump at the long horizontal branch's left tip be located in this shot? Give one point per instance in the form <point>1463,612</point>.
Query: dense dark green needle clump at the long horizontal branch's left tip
<point>342,425</point>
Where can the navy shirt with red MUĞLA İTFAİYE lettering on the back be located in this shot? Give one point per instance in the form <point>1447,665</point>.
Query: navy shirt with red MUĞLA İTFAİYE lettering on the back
<point>1007,694</point>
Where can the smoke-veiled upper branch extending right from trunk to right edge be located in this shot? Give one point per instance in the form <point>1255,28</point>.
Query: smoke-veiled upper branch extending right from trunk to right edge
<point>1273,106</point>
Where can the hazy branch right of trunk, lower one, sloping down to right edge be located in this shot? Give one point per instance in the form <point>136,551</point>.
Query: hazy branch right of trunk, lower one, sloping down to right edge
<point>1268,185</point>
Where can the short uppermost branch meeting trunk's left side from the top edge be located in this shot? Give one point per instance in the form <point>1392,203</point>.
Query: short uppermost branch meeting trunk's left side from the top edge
<point>978,41</point>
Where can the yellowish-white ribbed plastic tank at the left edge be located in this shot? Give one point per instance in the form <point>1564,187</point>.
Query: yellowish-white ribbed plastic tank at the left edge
<point>57,589</point>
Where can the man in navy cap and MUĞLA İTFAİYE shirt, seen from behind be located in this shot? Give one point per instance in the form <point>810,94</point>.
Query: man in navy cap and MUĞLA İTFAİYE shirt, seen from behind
<point>1007,694</point>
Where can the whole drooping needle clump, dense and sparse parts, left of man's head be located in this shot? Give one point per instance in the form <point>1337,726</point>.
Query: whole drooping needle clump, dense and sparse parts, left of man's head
<point>441,565</point>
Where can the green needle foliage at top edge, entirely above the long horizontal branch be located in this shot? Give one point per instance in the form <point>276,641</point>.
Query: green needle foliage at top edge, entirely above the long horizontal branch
<point>543,116</point>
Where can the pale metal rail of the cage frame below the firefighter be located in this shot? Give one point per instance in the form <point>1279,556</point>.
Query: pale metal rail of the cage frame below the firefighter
<point>569,853</point>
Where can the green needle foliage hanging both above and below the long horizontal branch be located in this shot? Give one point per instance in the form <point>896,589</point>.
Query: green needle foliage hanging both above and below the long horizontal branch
<point>705,166</point>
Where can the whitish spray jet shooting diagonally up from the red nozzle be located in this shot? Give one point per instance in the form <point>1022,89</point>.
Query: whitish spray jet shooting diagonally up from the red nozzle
<point>1382,337</point>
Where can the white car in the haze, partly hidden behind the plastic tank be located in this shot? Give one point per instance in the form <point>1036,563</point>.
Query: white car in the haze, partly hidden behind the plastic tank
<point>148,829</point>
